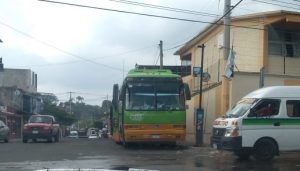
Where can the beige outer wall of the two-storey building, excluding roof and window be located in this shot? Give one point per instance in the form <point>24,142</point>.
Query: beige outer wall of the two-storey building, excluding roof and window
<point>251,47</point>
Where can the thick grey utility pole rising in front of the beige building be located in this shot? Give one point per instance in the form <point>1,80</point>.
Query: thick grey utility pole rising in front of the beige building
<point>225,81</point>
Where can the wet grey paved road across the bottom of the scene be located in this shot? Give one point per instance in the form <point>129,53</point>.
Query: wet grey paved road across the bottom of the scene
<point>103,153</point>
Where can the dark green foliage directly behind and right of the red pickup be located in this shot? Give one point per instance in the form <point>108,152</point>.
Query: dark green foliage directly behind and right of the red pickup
<point>61,116</point>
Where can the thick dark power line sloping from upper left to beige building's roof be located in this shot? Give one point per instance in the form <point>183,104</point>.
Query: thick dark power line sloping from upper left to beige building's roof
<point>145,14</point>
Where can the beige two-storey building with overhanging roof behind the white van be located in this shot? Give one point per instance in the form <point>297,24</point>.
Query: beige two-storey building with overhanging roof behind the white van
<point>268,41</point>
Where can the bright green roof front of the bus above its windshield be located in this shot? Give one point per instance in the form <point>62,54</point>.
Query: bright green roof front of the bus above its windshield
<point>151,73</point>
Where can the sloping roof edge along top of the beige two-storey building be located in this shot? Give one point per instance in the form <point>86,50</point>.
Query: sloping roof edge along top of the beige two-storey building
<point>211,27</point>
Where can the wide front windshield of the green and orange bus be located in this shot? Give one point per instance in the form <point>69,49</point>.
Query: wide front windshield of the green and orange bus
<point>155,96</point>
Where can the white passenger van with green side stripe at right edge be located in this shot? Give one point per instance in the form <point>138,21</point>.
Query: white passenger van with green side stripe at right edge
<point>263,123</point>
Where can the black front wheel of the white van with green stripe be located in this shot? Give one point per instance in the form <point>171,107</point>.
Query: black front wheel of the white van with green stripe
<point>264,149</point>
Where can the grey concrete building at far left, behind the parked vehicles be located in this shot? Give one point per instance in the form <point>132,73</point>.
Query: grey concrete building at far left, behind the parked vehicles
<point>18,97</point>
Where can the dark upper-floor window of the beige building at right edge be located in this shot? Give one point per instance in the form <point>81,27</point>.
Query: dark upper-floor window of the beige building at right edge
<point>284,43</point>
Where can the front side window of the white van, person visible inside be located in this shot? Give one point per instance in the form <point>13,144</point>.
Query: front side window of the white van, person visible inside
<point>266,107</point>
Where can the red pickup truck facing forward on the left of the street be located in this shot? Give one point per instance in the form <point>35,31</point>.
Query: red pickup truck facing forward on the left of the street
<point>41,127</point>
